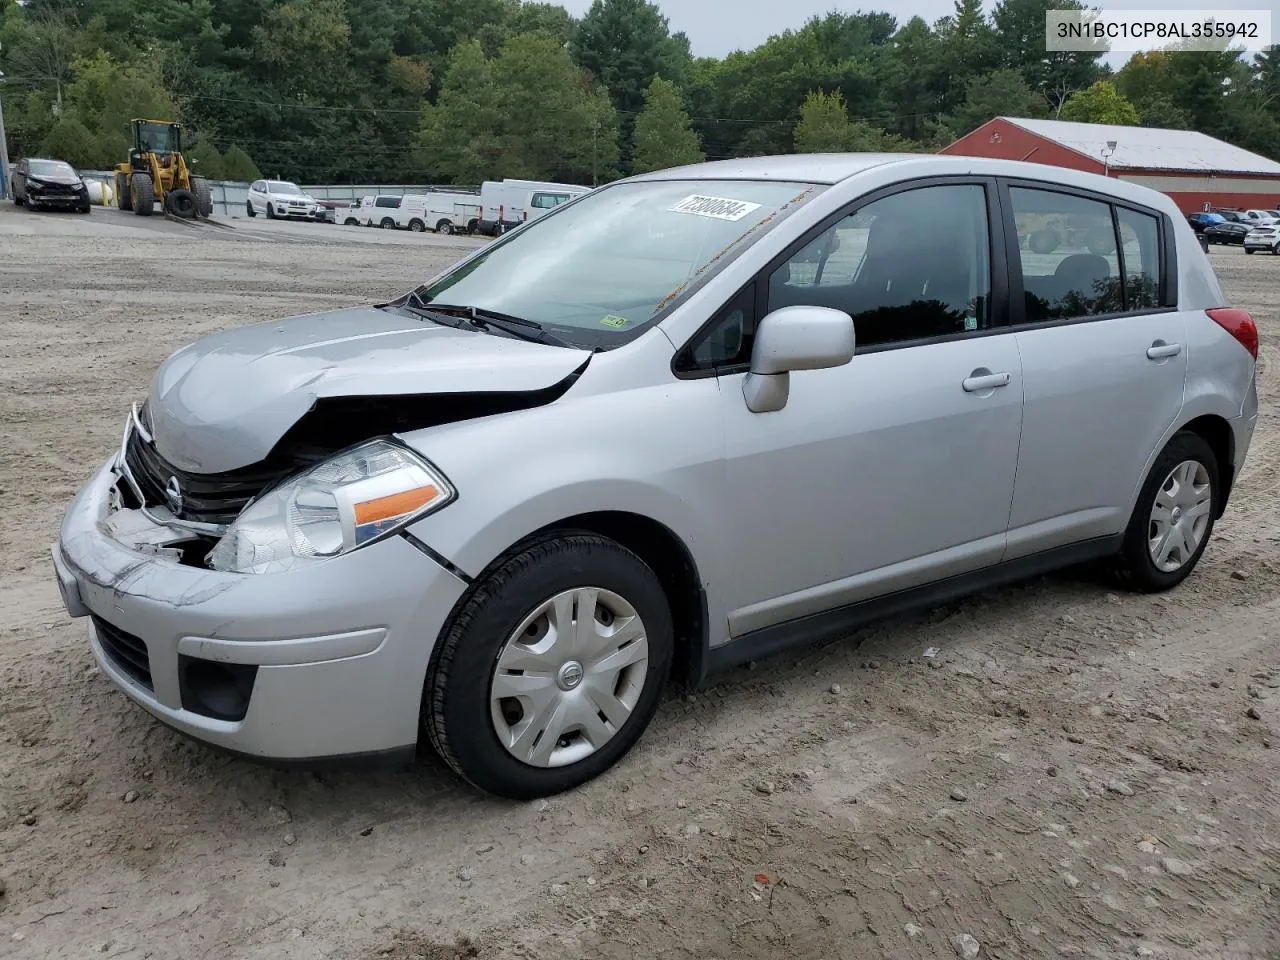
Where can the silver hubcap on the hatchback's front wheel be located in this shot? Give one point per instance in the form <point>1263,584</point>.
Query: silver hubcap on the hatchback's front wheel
<point>569,678</point>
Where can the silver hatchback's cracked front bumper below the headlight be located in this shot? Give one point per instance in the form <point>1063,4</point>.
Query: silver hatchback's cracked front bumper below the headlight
<point>339,651</point>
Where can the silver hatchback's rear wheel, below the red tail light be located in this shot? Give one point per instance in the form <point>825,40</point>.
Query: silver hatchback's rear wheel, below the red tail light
<point>1174,516</point>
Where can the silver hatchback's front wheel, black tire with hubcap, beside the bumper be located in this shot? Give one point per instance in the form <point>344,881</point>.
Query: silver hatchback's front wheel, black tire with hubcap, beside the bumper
<point>552,669</point>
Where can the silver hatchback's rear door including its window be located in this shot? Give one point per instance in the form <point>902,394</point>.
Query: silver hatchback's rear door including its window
<point>1104,358</point>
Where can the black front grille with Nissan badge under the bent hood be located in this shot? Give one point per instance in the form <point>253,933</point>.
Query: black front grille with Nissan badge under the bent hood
<point>207,499</point>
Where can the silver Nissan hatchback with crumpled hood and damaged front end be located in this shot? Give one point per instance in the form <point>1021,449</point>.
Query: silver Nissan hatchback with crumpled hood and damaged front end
<point>683,422</point>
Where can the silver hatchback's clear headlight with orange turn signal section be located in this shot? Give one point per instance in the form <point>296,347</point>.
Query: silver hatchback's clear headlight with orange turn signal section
<point>337,506</point>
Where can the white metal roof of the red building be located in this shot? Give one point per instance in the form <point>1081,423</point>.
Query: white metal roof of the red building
<point>1150,149</point>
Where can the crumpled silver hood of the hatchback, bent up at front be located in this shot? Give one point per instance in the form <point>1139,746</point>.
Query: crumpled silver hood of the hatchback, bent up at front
<point>226,401</point>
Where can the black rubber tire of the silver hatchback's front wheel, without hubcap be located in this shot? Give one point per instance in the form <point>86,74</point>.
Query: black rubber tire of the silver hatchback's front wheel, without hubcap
<point>458,714</point>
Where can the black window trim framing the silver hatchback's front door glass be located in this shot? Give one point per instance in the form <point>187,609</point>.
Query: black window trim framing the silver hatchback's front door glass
<point>998,226</point>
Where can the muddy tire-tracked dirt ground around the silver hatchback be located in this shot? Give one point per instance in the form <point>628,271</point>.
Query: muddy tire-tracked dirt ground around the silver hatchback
<point>1078,774</point>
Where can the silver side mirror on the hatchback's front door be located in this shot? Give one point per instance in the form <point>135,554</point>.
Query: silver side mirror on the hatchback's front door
<point>794,339</point>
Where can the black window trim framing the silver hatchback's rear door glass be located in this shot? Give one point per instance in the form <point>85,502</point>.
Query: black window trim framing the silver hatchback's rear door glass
<point>1168,255</point>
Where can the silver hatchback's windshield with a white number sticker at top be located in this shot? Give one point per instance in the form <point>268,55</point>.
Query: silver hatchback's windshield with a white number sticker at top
<point>604,267</point>
